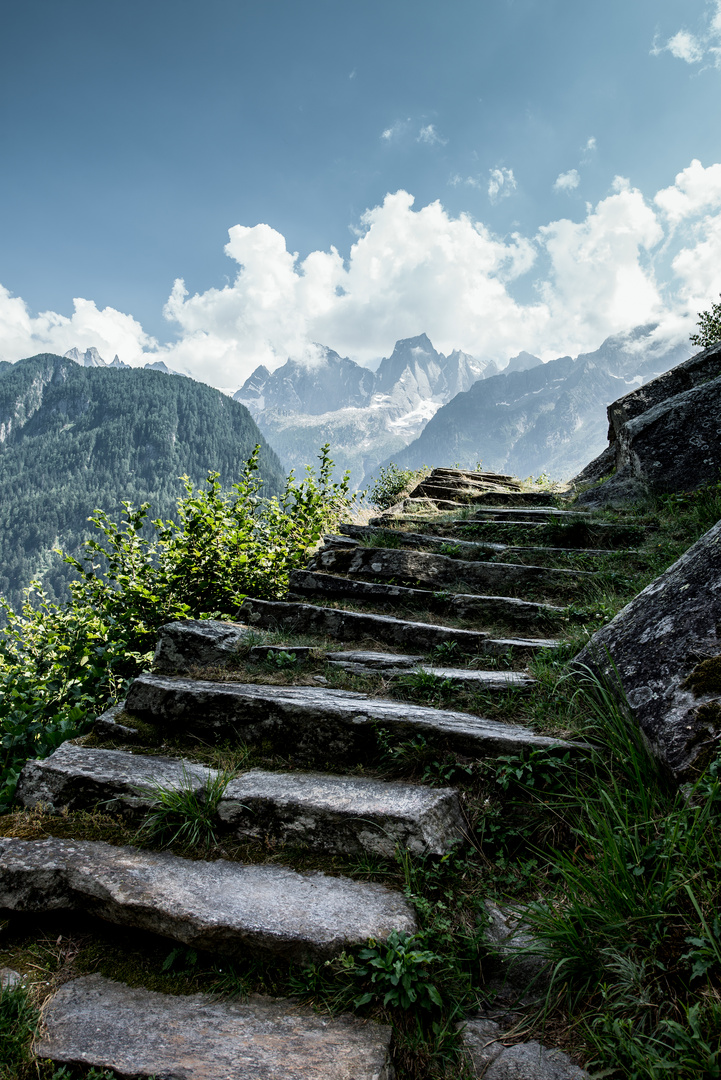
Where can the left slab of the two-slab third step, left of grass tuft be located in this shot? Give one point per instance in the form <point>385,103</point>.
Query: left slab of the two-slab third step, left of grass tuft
<point>78,778</point>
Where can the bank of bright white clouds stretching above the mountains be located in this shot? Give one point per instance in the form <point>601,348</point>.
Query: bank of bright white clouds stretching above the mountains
<point>631,260</point>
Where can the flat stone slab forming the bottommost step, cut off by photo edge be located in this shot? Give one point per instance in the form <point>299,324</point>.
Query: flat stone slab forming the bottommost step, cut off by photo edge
<point>138,1033</point>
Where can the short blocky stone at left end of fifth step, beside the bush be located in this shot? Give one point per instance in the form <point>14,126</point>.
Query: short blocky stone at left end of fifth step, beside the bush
<point>198,643</point>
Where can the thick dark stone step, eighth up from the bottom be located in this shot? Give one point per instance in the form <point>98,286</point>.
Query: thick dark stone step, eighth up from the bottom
<point>440,572</point>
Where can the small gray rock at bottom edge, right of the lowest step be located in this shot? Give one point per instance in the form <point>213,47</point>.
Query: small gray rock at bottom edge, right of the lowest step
<point>483,1046</point>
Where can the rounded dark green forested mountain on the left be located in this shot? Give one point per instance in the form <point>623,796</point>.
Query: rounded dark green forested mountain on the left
<point>75,439</point>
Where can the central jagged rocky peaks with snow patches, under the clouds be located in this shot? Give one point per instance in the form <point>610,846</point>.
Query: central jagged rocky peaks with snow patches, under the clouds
<point>363,414</point>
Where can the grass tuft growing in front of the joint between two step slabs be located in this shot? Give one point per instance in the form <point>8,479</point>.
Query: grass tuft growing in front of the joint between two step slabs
<point>185,815</point>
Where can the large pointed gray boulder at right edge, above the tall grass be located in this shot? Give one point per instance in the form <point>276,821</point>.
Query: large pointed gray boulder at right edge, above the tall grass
<point>666,649</point>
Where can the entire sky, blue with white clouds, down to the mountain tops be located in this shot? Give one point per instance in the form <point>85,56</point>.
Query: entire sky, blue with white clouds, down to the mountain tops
<point>135,136</point>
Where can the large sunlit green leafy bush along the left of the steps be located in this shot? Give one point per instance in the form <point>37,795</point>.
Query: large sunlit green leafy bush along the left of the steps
<point>61,665</point>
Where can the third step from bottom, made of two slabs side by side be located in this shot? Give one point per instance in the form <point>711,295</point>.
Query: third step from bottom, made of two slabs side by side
<point>319,812</point>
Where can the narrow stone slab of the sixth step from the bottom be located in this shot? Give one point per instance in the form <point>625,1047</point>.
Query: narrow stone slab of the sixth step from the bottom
<point>357,626</point>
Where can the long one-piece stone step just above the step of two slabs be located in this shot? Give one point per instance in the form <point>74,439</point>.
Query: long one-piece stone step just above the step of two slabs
<point>315,725</point>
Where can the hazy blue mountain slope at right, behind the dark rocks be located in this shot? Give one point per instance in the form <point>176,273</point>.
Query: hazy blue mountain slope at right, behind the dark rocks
<point>547,418</point>
